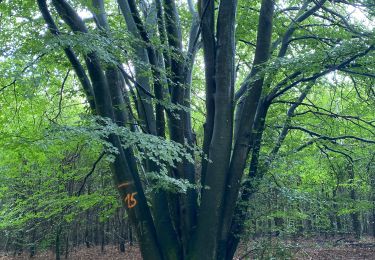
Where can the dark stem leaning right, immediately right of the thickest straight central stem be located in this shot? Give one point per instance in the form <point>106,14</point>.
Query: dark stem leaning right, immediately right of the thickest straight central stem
<point>246,111</point>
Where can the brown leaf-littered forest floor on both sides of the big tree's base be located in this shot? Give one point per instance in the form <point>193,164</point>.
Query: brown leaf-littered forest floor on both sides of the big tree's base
<point>299,249</point>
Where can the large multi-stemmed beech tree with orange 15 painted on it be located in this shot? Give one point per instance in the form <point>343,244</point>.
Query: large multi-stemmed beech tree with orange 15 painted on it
<point>287,51</point>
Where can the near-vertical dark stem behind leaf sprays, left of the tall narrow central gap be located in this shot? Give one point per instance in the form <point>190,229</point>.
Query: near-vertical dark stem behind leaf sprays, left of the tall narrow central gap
<point>180,125</point>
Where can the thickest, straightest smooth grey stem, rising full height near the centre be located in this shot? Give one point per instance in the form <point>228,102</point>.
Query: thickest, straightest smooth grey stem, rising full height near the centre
<point>209,218</point>
